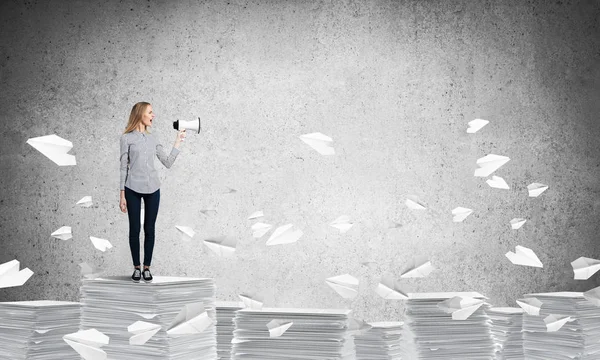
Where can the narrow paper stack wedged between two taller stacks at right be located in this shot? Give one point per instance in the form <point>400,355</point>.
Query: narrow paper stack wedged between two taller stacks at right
<point>507,326</point>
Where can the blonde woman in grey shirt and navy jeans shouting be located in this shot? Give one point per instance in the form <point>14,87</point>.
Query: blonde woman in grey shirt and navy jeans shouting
<point>139,179</point>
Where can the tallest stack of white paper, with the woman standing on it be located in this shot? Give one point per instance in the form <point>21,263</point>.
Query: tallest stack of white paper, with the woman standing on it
<point>170,318</point>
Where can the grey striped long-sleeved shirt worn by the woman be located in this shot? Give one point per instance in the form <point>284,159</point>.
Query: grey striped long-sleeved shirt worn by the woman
<point>137,161</point>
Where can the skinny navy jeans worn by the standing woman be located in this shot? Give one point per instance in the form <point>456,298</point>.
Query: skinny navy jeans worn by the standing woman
<point>134,206</point>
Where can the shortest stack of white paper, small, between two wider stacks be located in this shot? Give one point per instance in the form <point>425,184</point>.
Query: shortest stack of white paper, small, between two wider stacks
<point>382,341</point>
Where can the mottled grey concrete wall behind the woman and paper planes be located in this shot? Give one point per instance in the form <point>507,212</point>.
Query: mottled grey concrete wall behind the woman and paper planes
<point>393,83</point>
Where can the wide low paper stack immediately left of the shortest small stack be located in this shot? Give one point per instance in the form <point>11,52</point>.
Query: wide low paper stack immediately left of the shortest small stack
<point>313,334</point>
